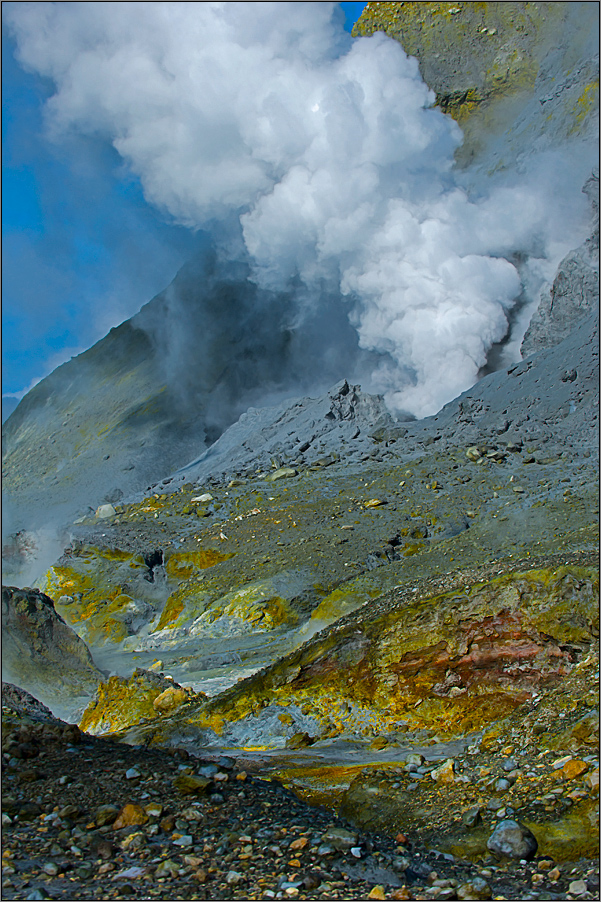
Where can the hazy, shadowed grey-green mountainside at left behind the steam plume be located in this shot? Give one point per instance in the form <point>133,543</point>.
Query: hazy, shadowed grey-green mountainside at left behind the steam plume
<point>160,388</point>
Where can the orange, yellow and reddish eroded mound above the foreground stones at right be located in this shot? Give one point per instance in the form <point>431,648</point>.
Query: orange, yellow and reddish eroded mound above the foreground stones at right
<point>451,662</point>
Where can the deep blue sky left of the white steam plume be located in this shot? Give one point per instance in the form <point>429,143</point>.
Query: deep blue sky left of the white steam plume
<point>69,276</point>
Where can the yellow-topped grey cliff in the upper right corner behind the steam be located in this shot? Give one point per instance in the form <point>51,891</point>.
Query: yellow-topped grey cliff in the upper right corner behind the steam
<point>514,75</point>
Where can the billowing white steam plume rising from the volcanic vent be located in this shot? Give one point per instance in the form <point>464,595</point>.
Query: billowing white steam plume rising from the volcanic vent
<point>325,151</point>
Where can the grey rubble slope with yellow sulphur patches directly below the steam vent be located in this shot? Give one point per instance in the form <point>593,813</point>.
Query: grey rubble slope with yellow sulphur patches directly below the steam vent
<point>223,554</point>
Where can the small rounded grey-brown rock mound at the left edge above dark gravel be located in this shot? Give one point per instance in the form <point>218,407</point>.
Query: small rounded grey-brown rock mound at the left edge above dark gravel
<point>43,655</point>
